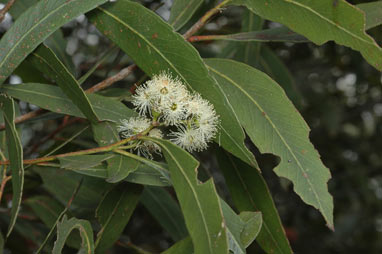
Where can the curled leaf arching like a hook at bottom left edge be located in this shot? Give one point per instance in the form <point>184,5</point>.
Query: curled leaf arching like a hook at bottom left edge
<point>65,227</point>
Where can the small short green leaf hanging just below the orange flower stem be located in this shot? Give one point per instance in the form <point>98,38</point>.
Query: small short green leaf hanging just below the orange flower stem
<point>119,167</point>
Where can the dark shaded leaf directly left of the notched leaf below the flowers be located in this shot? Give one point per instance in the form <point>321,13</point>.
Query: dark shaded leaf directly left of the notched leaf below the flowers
<point>165,210</point>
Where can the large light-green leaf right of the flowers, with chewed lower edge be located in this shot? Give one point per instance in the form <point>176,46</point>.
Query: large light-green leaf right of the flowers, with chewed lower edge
<point>275,126</point>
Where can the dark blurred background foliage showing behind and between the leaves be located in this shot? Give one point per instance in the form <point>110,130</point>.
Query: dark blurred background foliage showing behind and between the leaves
<point>336,91</point>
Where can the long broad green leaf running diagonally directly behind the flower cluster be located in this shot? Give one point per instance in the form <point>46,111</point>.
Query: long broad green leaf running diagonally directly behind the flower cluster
<point>155,47</point>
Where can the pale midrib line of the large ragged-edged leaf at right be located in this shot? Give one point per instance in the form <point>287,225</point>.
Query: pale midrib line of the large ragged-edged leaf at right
<point>275,129</point>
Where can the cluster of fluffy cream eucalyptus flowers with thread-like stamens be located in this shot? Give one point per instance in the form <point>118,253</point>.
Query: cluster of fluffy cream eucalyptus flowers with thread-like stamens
<point>163,102</point>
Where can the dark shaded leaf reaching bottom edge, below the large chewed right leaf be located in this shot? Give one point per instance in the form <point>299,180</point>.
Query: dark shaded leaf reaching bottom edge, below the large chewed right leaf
<point>250,193</point>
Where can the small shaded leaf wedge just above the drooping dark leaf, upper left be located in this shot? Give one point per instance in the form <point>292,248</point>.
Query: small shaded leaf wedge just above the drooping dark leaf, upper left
<point>57,43</point>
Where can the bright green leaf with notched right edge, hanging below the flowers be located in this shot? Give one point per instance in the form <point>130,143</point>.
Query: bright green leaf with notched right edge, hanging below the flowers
<point>200,203</point>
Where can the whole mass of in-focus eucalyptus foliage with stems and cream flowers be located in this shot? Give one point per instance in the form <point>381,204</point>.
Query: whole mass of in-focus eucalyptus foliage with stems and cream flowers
<point>139,122</point>
